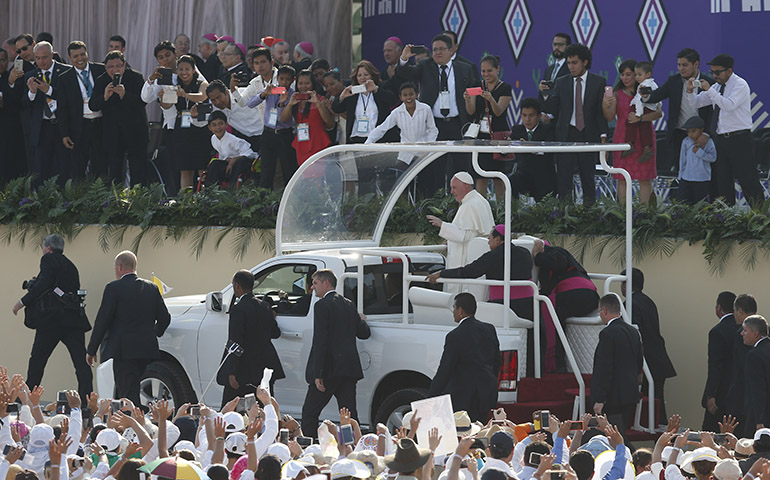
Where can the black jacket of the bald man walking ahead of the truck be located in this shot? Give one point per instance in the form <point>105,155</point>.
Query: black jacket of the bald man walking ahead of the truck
<point>131,317</point>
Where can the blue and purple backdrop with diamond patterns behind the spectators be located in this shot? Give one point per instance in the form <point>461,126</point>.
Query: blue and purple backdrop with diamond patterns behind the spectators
<point>521,31</point>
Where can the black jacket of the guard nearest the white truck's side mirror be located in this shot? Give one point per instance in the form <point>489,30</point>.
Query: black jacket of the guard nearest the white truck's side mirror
<point>252,325</point>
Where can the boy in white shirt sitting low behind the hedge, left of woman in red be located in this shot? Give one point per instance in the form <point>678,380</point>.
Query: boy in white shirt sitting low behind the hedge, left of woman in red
<point>235,154</point>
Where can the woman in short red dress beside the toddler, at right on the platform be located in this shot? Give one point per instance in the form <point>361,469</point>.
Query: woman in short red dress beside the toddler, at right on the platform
<point>618,105</point>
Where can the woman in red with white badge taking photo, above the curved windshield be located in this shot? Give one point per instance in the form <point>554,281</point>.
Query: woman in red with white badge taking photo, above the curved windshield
<point>312,116</point>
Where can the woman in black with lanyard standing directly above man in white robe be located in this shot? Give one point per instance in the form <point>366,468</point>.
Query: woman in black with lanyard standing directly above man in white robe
<point>490,109</point>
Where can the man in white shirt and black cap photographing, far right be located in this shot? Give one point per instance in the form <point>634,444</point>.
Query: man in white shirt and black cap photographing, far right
<point>731,98</point>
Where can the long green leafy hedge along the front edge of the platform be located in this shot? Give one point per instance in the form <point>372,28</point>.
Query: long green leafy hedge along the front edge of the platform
<point>658,229</point>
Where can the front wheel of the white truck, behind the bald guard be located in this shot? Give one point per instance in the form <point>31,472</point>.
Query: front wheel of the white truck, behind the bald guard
<point>164,381</point>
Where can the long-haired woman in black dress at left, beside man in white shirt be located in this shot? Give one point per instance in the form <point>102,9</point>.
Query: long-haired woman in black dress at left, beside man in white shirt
<point>191,137</point>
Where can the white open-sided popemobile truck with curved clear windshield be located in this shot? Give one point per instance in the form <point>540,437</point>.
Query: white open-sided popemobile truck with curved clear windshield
<point>333,215</point>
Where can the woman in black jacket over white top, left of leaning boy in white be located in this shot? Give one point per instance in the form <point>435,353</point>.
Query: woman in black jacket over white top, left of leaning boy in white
<point>364,111</point>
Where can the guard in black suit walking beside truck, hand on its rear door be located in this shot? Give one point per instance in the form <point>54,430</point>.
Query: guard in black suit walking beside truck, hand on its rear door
<point>333,367</point>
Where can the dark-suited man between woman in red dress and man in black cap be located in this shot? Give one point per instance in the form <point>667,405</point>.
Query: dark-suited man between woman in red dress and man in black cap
<point>687,64</point>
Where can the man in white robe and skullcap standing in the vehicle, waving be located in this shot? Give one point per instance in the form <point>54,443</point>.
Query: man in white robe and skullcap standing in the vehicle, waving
<point>473,219</point>
